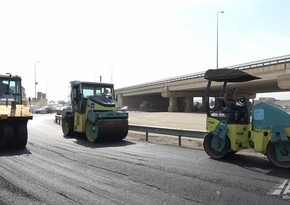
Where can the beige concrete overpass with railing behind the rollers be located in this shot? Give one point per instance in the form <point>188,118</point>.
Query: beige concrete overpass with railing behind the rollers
<point>178,92</point>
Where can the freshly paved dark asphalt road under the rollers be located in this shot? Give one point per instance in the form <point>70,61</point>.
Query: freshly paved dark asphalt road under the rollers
<point>58,170</point>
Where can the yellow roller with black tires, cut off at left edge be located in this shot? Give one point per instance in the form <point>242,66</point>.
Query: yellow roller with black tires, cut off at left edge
<point>14,113</point>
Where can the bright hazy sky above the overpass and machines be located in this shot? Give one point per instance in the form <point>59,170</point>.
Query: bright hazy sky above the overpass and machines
<point>131,42</point>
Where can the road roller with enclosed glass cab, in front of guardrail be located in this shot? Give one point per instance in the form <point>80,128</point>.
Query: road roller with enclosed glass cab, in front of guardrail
<point>94,113</point>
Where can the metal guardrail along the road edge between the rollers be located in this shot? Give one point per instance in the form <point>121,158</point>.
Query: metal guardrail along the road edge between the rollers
<point>159,130</point>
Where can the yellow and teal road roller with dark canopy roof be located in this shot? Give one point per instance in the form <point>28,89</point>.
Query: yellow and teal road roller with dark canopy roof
<point>264,127</point>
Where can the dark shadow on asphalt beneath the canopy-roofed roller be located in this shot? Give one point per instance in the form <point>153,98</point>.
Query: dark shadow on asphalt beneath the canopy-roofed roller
<point>257,164</point>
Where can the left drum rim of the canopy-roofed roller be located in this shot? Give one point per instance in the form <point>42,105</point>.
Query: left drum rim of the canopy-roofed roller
<point>213,153</point>
